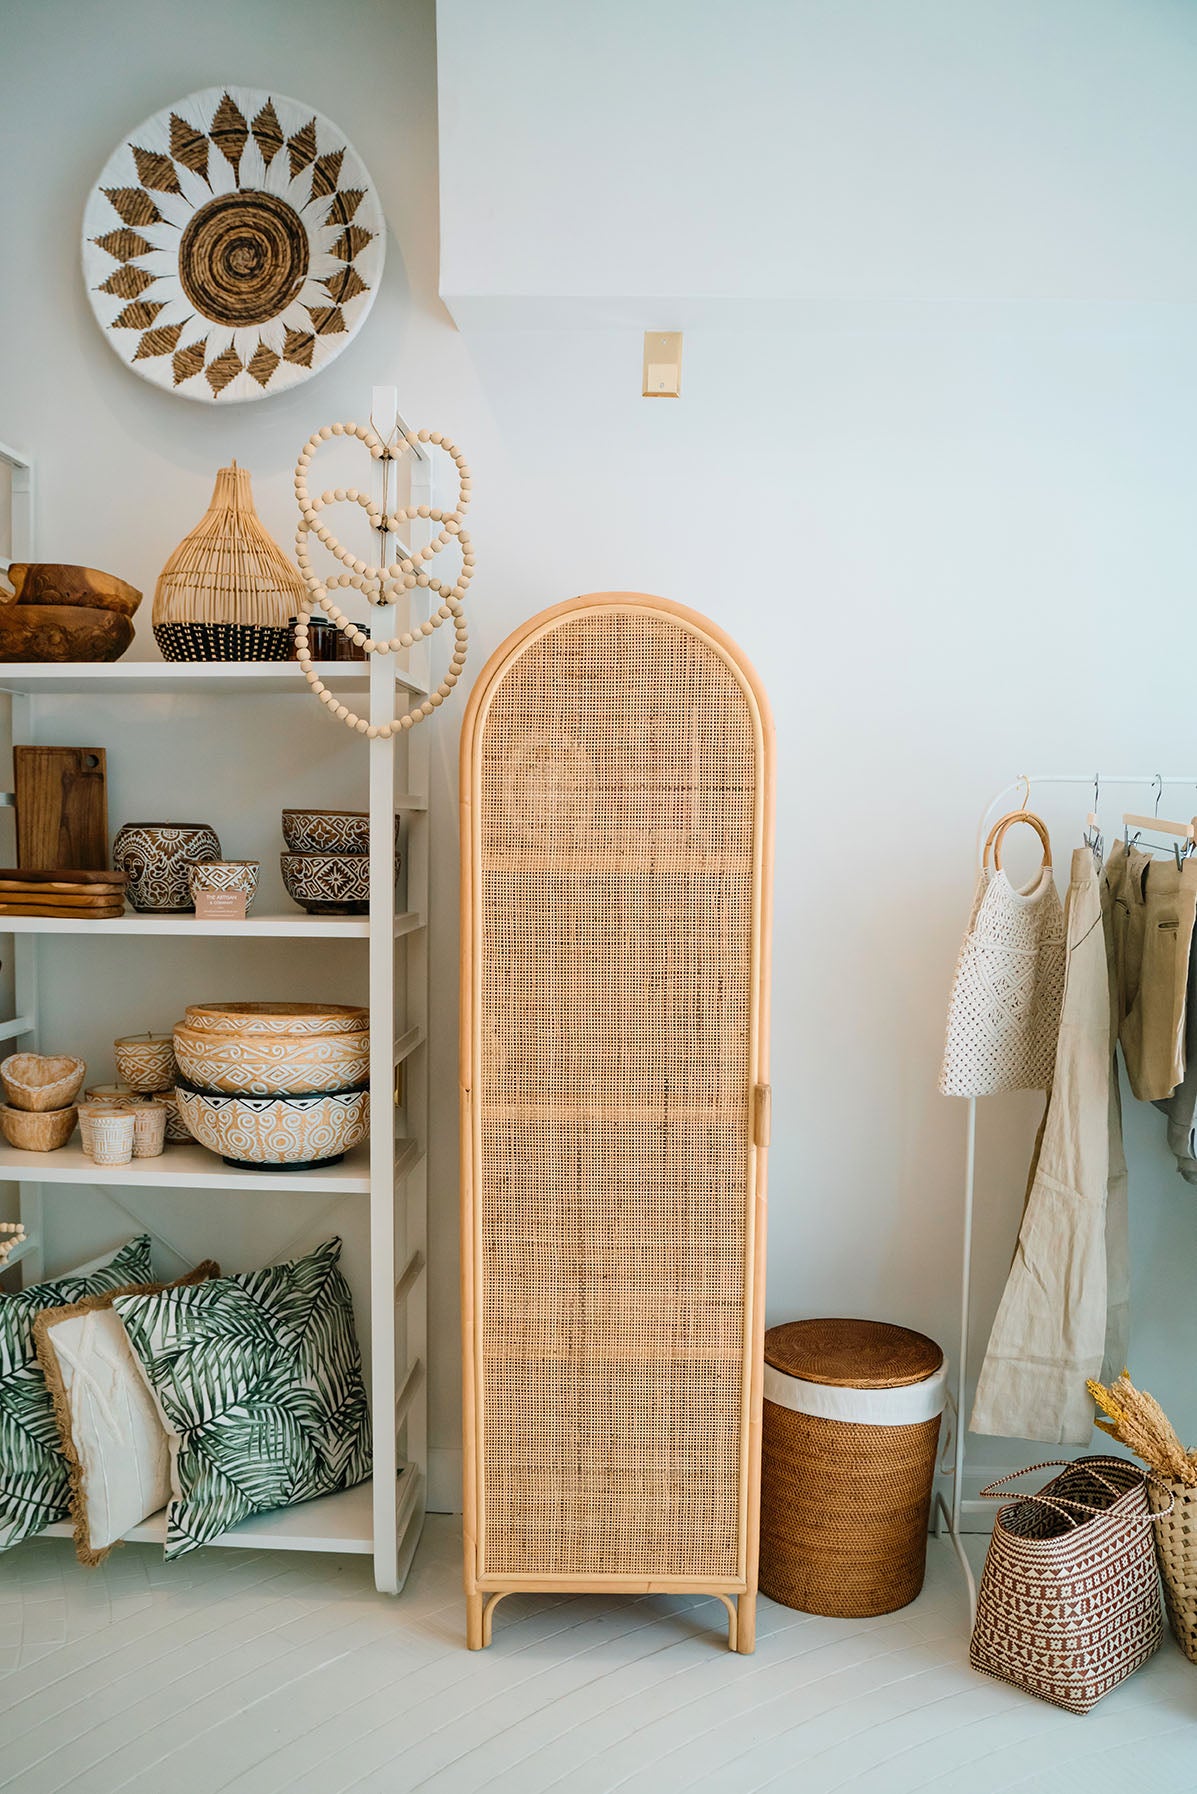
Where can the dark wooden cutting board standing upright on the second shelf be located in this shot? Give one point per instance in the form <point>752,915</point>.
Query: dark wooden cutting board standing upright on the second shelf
<point>62,808</point>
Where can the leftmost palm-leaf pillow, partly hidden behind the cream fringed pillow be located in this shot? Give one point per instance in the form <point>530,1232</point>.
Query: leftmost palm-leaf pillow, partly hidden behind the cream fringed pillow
<point>35,1485</point>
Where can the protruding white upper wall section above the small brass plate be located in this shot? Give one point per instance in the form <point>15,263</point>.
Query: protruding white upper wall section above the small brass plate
<point>755,159</point>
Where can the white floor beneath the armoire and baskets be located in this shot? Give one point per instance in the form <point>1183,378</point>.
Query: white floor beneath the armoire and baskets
<point>241,1673</point>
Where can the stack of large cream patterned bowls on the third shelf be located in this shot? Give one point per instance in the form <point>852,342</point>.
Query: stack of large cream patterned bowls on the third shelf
<point>275,1084</point>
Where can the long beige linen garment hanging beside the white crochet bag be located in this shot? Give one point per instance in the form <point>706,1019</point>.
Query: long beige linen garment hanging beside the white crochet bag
<point>1051,1328</point>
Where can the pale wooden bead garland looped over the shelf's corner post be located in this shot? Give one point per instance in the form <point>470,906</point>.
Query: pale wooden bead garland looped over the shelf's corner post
<point>381,586</point>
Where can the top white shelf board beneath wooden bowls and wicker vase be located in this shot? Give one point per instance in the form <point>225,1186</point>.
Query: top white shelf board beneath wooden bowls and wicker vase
<point>186,677</point>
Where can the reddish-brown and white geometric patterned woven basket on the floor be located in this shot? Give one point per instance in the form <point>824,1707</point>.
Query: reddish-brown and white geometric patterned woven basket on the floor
<point>1069,1603</point>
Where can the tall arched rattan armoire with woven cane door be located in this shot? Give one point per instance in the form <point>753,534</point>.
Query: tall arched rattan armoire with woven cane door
<point>616,860</point>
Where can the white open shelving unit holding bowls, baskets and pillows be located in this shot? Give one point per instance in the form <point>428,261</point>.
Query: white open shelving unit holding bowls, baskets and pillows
<point>383,1519</point>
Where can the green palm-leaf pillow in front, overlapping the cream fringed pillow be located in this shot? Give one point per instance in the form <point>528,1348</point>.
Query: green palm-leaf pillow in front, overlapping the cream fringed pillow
<point>259,1380</point>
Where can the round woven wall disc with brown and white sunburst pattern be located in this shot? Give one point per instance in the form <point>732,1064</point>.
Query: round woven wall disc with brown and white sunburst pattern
<point>232,245</point>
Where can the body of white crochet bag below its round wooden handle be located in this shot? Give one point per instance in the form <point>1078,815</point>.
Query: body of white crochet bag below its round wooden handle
<point>1006,1000</point>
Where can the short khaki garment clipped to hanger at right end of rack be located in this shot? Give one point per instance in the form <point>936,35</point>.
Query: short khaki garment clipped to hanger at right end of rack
<point>1155,905</point>
